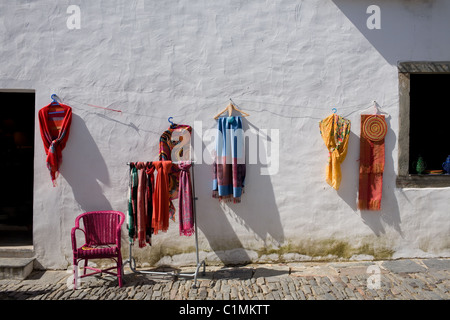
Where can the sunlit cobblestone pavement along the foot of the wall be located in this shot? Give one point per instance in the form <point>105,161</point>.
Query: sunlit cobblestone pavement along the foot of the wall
<point>409,279</point>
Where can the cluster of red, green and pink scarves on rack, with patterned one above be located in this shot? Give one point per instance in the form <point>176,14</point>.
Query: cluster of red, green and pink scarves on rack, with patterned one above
<point>150,204</point>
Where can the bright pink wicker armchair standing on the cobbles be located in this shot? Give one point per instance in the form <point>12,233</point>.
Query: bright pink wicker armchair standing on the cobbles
<point>102,230</point>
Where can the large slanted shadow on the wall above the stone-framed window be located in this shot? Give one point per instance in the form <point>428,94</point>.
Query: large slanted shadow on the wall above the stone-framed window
<point>408,28</point>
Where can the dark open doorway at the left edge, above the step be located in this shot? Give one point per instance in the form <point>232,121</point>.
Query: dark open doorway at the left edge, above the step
<point>17,118</point>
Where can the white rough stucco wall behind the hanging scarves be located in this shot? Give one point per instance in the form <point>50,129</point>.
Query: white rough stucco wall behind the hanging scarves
<point>286,63</point>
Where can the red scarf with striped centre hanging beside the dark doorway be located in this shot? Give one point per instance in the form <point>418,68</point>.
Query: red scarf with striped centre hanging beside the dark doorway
<point>54,123</point>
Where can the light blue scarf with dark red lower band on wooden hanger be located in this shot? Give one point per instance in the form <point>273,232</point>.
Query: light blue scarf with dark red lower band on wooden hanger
<point>229,164</point>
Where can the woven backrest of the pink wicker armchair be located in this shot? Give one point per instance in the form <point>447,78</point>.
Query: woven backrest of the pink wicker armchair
<point>102,227</point>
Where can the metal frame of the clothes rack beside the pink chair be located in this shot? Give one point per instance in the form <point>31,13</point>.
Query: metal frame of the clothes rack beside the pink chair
<point>132,262</point>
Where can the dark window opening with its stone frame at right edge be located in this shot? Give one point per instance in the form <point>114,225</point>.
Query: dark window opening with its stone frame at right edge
<point>422,131</point>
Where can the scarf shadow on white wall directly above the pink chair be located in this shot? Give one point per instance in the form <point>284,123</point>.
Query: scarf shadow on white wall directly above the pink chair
<point>84,166</point>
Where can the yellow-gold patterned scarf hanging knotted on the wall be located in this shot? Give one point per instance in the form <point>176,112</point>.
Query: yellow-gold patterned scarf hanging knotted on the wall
<point>335,131</point>
